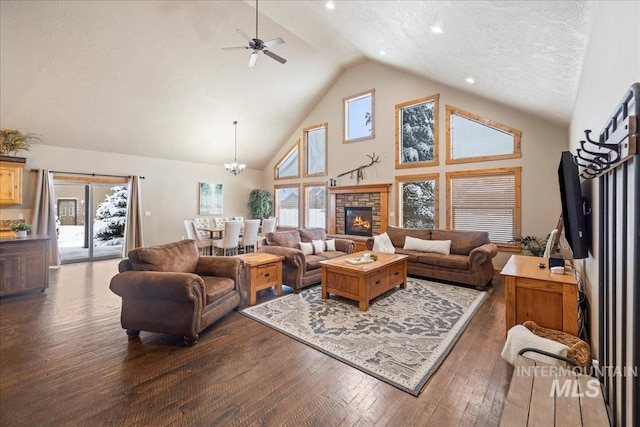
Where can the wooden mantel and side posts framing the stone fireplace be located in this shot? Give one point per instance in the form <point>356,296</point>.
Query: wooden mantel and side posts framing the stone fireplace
<point>381,208</point>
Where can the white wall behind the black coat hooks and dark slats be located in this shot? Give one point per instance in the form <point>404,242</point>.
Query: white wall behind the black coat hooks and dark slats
<point>611,65</point>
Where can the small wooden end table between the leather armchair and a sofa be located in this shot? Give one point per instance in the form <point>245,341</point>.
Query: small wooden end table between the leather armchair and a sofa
<point>262,271</point>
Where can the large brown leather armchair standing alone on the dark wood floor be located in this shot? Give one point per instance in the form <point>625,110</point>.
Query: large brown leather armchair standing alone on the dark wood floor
<point>173,290</point>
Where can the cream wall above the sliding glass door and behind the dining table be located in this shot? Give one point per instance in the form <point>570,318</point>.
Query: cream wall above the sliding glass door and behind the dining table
<point>170,190</point>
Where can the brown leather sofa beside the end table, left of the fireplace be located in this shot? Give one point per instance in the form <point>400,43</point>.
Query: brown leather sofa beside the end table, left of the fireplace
<point>300,270</point>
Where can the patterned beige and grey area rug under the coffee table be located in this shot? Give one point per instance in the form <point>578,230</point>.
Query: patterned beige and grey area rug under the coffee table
<point>401,340</point>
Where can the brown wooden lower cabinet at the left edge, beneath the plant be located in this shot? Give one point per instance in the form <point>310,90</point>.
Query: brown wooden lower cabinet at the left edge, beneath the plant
<point>24,264</point>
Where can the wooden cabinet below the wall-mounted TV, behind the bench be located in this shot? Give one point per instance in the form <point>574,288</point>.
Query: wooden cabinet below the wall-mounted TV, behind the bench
<point>534,293</point>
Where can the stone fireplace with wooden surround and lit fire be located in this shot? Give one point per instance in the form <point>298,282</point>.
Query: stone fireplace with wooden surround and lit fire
<point>373,197</point>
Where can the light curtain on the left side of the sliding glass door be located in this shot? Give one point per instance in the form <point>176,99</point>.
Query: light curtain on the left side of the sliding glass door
<point>43,221</point>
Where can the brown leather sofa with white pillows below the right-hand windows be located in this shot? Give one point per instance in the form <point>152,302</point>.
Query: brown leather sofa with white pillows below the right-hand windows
<point>468,263</point>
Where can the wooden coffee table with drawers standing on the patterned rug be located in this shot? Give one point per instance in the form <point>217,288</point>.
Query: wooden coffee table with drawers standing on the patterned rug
<point>363,282</point>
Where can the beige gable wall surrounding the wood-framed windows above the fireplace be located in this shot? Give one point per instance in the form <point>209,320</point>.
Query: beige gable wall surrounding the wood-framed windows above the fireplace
<point>541,142</point>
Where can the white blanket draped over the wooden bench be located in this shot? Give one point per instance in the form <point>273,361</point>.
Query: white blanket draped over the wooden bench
<point>520,337</point>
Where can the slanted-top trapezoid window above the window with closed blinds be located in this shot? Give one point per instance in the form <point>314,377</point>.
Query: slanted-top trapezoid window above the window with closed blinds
<point>471,138</point>
